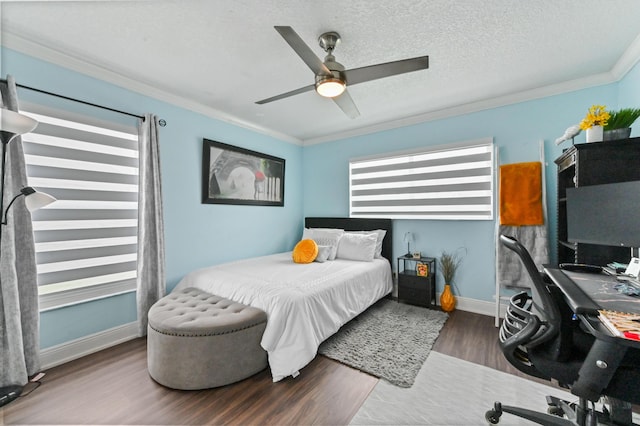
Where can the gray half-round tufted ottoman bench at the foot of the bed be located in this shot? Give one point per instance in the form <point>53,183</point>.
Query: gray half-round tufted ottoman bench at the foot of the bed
<point>196,340</point>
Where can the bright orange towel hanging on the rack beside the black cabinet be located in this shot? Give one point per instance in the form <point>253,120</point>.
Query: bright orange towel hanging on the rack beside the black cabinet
<point>521,194</point>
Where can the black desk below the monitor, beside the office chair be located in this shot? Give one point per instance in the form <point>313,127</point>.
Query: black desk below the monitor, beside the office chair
<point>585,294</point>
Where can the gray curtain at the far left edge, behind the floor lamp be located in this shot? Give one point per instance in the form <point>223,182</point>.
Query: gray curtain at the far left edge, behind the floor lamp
<point>19,316</point>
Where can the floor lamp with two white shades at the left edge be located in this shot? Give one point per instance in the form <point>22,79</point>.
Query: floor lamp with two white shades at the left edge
<point>13,124</point>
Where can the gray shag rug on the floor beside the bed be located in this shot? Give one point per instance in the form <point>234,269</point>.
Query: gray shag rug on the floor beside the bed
<point>390,340</point>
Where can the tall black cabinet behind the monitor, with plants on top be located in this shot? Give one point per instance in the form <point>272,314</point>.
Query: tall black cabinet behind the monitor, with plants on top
<point>594,163</point>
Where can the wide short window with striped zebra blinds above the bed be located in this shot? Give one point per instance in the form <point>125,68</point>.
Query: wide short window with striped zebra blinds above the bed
<point>453,182</point>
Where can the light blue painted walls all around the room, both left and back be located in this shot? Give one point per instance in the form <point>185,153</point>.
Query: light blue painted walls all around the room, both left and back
<point>198,235</point>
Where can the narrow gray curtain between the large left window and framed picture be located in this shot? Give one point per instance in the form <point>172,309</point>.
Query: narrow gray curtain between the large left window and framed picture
<point>151,276</point>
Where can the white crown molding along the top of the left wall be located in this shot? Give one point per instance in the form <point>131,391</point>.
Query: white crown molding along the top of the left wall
<point>32,48</point>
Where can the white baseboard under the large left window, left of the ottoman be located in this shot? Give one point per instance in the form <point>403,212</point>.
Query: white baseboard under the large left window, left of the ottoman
<point>74,349</point>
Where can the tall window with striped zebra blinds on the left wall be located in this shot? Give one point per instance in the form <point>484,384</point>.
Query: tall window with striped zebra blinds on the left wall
<point>86,242</point>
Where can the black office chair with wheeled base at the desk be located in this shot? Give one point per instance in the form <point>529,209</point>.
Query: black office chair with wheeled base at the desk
<point>539,337</point>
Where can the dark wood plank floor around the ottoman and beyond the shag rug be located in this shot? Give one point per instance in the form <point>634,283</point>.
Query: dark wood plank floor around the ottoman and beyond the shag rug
<point>113,387</point>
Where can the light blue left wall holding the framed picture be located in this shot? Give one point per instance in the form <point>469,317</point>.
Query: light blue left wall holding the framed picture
<point>196,234</point>
